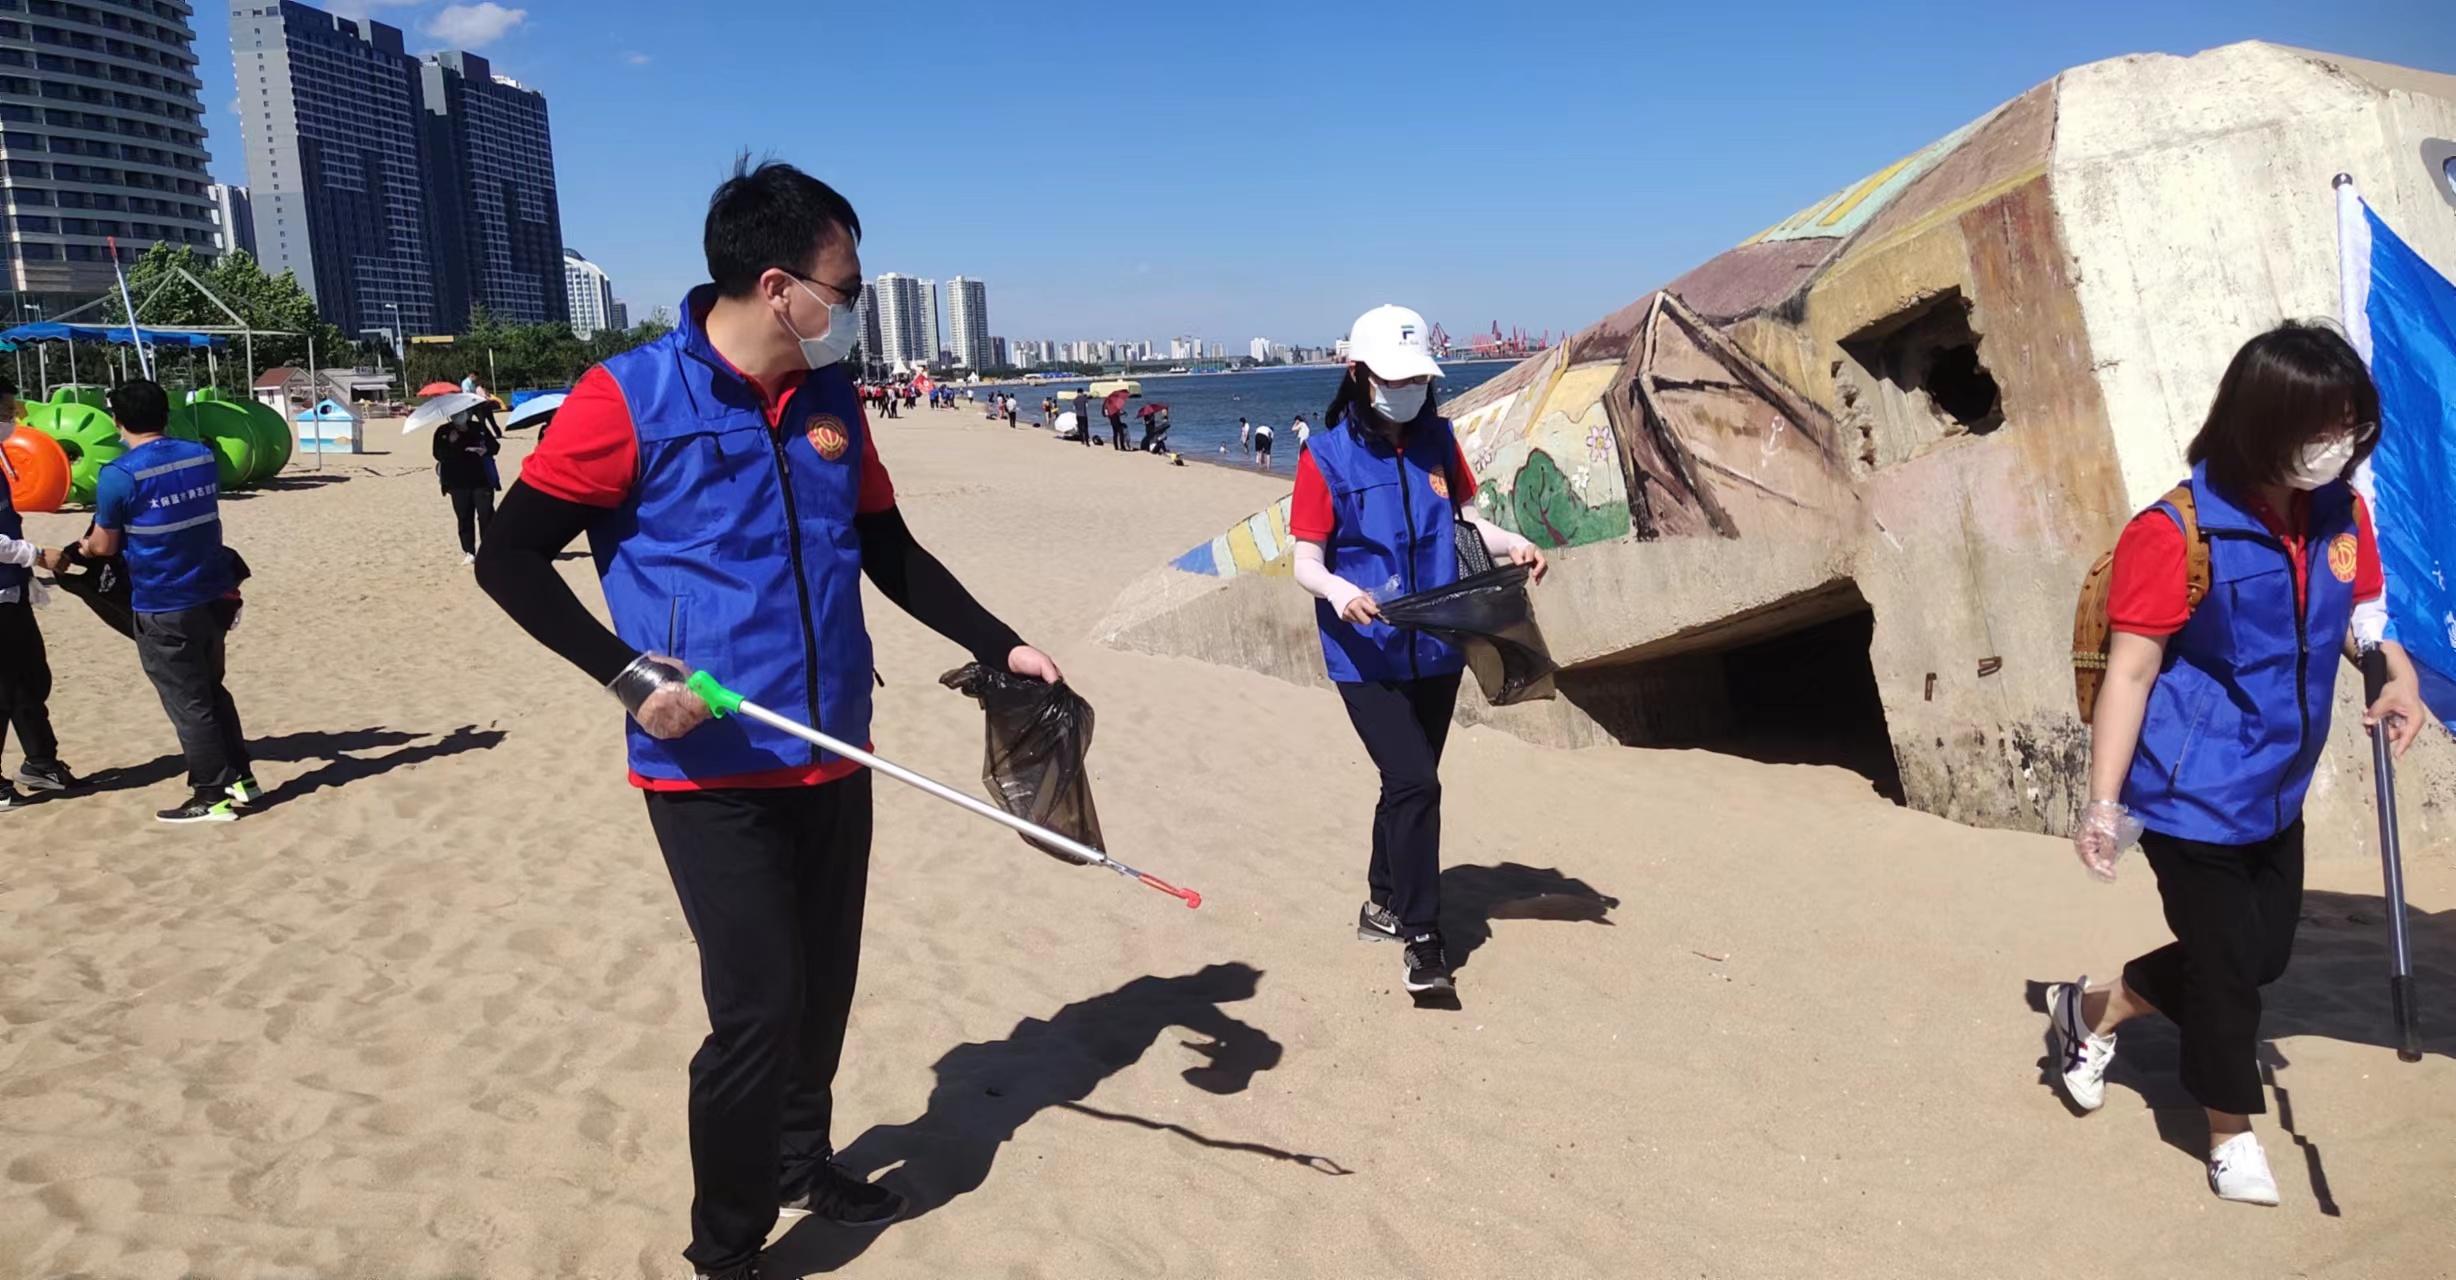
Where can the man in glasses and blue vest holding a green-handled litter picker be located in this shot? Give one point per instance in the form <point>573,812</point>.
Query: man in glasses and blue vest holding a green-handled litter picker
<point>736,500</point>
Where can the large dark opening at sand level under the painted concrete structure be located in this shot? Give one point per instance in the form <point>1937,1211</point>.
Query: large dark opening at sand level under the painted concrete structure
<point>1789,684</point>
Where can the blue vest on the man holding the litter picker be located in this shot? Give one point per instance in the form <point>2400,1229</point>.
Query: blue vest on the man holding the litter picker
<point>738,554</point>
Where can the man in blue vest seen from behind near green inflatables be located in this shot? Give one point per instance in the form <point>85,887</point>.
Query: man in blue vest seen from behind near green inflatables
<point>161,510</point>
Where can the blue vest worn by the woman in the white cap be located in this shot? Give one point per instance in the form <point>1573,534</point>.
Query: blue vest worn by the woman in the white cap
<point>1394,520</point>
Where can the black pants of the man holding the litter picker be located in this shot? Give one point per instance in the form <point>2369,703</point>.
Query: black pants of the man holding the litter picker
<point>772,886</point>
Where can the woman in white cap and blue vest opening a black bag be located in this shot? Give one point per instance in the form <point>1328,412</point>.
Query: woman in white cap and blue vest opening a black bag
<point>1379,500</point>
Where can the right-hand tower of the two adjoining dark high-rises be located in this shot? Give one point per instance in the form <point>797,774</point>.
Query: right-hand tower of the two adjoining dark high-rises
<point>492,173</point>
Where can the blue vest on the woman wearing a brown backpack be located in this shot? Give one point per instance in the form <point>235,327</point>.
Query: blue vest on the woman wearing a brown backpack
<point>2241,706</point>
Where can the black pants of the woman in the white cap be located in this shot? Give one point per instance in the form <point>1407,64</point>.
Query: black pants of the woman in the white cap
<point>1406,724</point>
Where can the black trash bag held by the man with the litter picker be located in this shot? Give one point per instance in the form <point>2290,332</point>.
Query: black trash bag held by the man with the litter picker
<point>1038,746</point>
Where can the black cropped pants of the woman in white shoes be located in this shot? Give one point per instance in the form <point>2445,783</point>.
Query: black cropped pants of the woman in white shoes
<point>2234,913</point>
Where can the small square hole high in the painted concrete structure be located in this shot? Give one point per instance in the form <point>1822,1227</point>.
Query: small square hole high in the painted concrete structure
<point>1917,377</point>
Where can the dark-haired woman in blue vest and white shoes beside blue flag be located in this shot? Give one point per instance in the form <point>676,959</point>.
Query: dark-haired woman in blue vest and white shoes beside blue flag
<point>2214,716</point>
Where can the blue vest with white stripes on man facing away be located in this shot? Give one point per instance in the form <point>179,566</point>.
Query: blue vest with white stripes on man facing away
<point>173,534</point>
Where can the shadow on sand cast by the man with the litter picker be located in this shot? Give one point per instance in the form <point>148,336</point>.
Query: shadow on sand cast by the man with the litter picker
<point>989,1092</point>
